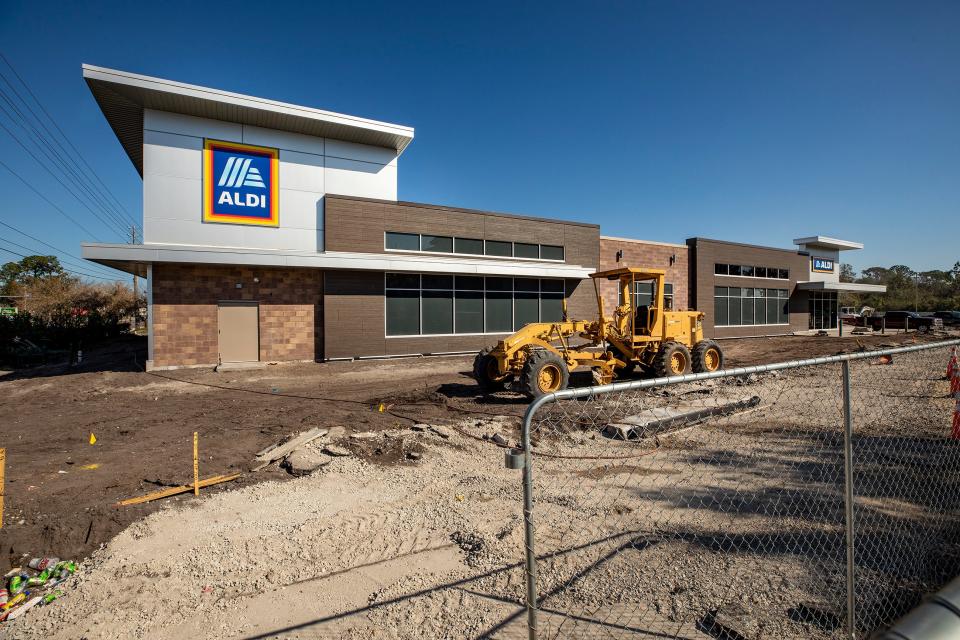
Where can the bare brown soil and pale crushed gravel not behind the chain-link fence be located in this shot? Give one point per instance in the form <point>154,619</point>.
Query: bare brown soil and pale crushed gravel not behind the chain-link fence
<point>377,508</point>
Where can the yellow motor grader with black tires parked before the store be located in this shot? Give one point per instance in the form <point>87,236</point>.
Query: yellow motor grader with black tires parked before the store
<point>540,356</point>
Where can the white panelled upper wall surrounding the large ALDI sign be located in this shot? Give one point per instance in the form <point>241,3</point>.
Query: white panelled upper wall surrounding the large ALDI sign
<point>173,186</point>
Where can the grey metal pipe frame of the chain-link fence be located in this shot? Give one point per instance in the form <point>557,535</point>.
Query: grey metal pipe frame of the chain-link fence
<point>600,390</point>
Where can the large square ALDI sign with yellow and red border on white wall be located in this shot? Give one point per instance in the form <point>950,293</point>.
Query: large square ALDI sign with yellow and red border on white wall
<point>240,184</point>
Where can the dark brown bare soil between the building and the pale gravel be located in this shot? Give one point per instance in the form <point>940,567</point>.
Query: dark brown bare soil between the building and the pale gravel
<point>144,423</point>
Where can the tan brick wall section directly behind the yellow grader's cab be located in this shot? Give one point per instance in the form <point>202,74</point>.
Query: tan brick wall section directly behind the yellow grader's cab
<point>639,253</point>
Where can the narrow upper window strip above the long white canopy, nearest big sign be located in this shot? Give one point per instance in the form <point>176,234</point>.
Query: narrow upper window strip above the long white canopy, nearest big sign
<point>397,241</point>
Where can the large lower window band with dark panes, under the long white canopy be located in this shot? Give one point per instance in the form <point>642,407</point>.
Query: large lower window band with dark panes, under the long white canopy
<point>442,305</point>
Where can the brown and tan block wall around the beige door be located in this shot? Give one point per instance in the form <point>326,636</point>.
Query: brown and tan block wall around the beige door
<point>185,299</point>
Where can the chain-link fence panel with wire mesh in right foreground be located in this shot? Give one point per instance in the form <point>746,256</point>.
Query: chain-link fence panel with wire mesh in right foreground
<point>719,505</point>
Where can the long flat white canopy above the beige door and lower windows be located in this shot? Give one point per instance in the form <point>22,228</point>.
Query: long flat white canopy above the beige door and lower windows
<point>134,258</point>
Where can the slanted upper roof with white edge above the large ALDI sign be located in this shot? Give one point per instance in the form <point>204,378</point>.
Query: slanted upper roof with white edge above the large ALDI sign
<point>123,96</point>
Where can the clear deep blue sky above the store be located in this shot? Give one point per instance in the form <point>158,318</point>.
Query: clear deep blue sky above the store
<point>750,121</point>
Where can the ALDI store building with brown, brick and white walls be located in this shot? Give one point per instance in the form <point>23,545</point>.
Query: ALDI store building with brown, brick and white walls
<point>272,232</point>
